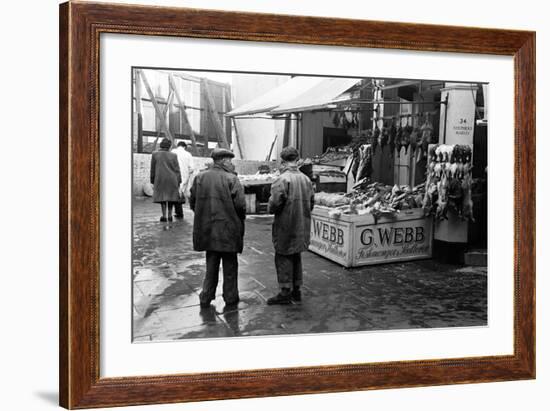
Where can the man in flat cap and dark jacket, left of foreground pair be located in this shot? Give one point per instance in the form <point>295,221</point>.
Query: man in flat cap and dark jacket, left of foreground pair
<point>217,198</point>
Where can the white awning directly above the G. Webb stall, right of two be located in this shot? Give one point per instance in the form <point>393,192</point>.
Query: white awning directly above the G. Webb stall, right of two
<point>326,92</point>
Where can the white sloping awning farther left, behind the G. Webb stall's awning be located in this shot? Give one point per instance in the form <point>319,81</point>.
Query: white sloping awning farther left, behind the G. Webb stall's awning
<point>277,96</point>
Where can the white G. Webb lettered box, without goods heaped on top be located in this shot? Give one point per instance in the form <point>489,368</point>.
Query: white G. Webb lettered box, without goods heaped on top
<point>357,240</point>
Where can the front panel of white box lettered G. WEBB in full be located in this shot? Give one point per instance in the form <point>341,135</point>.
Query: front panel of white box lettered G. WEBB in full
<point>393,241</point>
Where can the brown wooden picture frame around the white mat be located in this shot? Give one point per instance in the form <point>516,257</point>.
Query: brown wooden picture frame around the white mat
<point>80,27</point>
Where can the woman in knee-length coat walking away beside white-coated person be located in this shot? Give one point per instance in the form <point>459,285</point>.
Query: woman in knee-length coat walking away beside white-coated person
<point>166,179</point>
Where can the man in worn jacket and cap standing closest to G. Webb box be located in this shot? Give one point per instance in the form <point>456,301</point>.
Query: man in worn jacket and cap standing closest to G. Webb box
<point>291,202</point>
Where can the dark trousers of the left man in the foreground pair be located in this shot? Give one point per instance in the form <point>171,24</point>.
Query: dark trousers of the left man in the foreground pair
<point>210,283</point>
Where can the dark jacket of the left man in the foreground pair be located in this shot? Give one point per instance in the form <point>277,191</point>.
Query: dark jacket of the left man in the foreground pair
<point>217,198</point>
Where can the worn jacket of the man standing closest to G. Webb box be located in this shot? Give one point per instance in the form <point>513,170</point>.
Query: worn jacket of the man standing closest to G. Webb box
<point>291,202</point>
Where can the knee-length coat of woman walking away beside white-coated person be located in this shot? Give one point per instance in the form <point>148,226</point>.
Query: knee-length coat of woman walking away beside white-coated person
<point>165,176</point>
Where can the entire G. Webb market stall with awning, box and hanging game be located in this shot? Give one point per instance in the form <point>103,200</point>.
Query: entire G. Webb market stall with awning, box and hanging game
<point>391,162</point>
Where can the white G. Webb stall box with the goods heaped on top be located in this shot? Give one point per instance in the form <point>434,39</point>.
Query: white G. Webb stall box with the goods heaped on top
<point>365,227</point>
